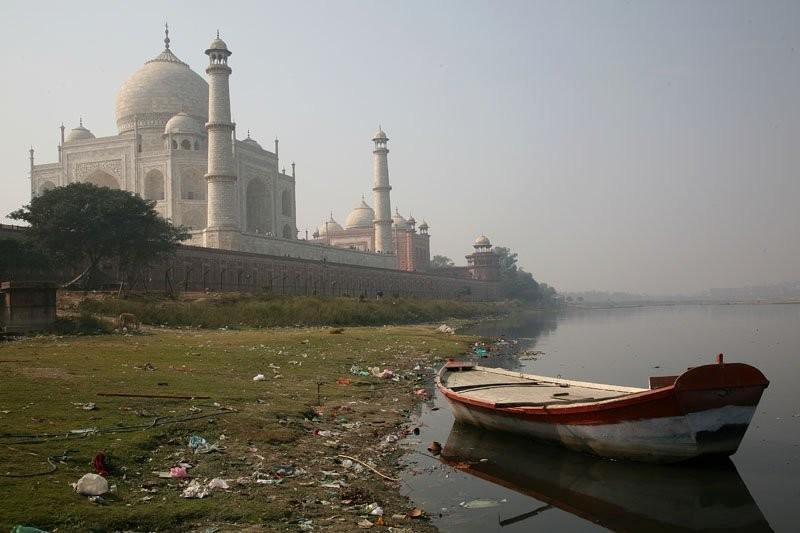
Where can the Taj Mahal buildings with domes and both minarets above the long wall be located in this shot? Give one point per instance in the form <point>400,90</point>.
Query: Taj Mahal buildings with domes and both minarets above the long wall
<point>176,145</point>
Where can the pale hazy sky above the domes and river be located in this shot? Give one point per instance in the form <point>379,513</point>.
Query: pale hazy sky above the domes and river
<point>615,145</point>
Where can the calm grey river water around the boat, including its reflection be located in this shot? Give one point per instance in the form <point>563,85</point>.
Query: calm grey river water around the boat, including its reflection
<point>522,486</point>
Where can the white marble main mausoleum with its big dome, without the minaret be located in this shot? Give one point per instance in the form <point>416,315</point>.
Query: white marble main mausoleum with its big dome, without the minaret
<point>160,152</point>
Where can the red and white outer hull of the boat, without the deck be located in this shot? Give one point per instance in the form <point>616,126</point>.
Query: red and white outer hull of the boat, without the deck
<point>706,411</point>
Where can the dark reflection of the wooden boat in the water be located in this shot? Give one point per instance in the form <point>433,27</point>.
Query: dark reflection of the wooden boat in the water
<point>617,495</point>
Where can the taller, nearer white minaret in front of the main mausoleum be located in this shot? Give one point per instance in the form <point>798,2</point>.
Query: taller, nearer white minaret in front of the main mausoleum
<point>222,230</point>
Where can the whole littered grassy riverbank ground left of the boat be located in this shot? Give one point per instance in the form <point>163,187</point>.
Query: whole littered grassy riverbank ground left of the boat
<point>310,447</point>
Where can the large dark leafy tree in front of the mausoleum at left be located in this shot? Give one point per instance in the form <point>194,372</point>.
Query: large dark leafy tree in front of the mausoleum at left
<point>83,225</point>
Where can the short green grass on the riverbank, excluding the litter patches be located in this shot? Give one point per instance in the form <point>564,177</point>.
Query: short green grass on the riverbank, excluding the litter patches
<point>42,377</point>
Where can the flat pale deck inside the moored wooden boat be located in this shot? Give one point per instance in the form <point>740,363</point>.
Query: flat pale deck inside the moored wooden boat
<point>504,388</point>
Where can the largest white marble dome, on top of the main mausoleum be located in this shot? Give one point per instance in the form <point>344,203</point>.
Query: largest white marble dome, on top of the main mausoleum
<point>160,89</point>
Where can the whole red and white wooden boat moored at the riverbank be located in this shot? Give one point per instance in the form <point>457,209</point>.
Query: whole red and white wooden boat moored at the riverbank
<point>704,411</point>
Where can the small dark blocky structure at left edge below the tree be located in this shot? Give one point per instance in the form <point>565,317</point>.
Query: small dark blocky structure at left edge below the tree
<point>27,306</point>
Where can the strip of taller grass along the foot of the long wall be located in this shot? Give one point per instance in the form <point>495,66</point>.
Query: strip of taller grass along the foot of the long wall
<point>265,311</point>
